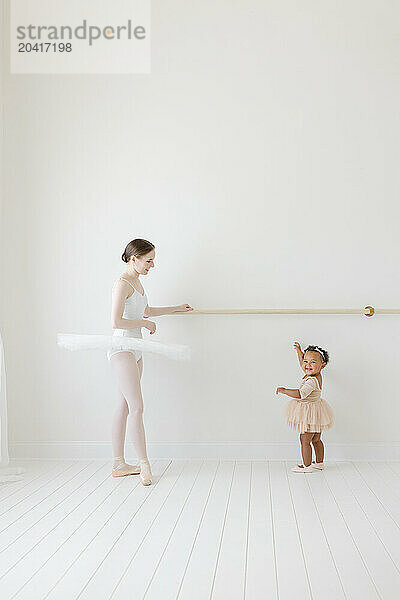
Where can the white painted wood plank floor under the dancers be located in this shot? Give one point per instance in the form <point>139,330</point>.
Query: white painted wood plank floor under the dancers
<point>205,530</point>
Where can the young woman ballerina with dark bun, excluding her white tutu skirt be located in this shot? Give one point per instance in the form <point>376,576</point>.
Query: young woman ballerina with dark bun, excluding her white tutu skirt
<point>128,314</point>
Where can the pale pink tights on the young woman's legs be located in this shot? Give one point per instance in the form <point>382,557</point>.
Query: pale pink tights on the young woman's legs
<point>130,403</point>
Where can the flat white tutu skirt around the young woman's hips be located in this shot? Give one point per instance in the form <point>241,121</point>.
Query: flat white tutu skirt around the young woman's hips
<point>76,341</point>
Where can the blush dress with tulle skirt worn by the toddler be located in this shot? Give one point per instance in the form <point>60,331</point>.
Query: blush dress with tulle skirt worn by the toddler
<point>310,413</point>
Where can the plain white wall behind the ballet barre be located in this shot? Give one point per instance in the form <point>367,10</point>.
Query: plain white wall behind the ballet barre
<point>260,156</point>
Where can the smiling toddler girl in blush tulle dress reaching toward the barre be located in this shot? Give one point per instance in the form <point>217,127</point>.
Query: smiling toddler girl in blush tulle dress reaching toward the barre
<point>308,413</point>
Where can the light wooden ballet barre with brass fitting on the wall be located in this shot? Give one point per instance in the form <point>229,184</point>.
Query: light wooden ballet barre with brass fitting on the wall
<point>368,311</point>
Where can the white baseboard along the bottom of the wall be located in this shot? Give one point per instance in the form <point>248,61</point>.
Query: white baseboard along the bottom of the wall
<point>204,450</point>
